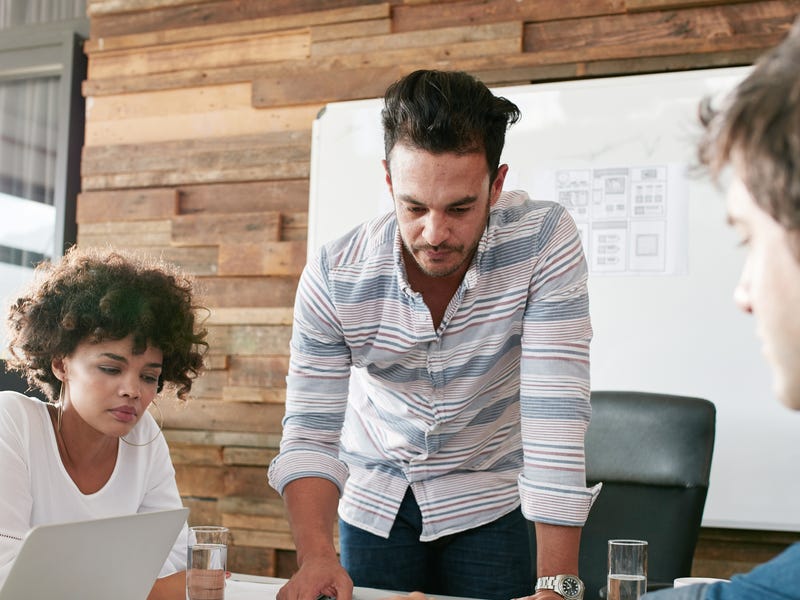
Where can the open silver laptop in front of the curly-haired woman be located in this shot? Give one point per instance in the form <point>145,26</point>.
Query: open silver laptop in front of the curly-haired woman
<point>115,558</point>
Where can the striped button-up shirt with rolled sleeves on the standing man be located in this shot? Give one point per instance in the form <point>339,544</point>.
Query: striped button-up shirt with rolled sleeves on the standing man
<point>484,413</point>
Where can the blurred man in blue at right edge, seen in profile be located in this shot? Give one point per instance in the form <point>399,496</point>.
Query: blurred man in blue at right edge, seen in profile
<point>758,134</point>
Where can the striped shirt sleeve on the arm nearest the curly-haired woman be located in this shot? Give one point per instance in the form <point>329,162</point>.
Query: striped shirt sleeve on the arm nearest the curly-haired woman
<point>316,387</point>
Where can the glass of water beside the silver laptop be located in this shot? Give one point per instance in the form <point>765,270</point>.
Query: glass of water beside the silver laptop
<point>206,563</point>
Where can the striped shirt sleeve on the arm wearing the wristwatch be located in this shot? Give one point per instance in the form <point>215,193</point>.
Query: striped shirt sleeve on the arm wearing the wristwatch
<point>554,380</point>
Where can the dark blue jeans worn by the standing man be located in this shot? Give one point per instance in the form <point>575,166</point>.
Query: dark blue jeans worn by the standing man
<point>492,561</point>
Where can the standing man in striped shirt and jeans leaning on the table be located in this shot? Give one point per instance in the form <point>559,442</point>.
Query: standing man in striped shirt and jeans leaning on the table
<point>460,325</point>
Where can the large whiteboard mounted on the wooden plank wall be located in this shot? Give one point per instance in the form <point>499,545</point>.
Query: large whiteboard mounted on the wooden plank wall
<point>677,333</point>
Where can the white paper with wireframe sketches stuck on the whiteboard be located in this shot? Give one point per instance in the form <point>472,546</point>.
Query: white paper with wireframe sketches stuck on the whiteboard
<point>633,220</point>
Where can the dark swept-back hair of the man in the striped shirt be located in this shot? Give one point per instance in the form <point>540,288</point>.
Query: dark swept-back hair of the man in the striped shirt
<point>447,111</point>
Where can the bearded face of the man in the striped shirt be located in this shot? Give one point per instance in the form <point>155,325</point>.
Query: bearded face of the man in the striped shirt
<point>442,203</point>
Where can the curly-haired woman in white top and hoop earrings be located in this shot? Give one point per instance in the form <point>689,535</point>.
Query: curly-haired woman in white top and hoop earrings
<point>99,334</point>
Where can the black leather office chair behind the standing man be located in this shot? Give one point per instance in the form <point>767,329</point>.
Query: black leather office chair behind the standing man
<point>653,454</point>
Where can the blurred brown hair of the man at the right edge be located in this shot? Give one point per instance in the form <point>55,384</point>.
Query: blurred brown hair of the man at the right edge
<point>758,130</point>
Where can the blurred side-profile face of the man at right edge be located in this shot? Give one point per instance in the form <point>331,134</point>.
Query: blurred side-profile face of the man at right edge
<point>769,287</point>
